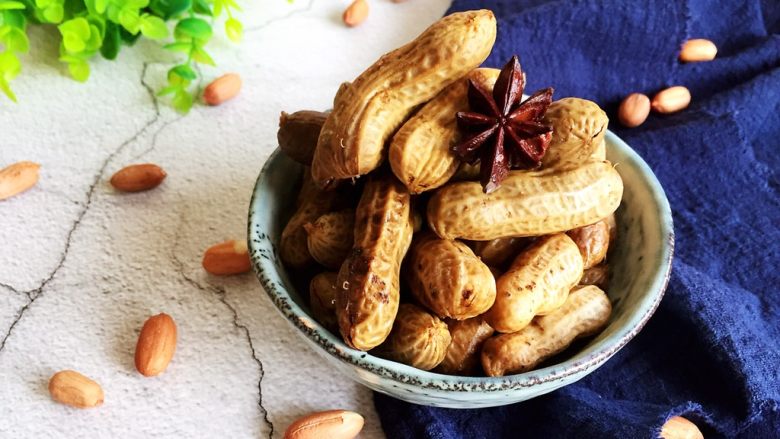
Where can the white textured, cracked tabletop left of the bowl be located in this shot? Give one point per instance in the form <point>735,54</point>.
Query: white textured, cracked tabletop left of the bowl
<point>82,267</point>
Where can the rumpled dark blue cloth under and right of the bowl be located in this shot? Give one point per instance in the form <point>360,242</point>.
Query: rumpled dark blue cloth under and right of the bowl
<point>711,352</point>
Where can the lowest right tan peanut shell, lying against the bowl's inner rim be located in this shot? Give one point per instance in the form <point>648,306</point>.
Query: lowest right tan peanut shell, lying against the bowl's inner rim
<point>584,313</point>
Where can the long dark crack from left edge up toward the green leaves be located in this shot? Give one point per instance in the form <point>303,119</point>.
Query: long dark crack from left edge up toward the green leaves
<point>34,294</point>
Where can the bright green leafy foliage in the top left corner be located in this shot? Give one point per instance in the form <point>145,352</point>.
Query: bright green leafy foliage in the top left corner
<point>89,27</point>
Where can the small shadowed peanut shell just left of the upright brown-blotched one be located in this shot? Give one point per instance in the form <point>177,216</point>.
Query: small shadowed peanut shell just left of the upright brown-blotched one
<point>330,237</point>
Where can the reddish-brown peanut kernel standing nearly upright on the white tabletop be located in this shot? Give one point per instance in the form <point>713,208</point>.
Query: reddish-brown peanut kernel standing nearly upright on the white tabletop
<point>156,345</point>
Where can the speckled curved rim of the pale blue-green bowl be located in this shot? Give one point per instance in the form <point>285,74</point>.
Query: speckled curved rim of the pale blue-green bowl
<point>600,351</point>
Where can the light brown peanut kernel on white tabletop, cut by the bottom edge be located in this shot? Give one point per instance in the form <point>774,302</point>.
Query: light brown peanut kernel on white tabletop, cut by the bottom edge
<point>332,424</point>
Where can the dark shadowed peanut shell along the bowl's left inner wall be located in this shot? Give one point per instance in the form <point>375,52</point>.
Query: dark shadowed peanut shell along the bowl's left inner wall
<point>312,203</point>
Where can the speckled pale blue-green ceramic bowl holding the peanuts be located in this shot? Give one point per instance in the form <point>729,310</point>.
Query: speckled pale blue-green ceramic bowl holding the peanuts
<point>640,262</point>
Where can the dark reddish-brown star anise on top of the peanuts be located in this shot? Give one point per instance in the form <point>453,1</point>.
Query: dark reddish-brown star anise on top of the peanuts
<point>504,133</point>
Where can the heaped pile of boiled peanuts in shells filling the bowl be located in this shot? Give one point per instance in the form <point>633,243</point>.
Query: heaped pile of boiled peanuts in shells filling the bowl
<point>413,261</point>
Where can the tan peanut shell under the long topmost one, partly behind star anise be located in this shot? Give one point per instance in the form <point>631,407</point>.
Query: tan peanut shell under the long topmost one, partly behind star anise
<point>420,152</point>
